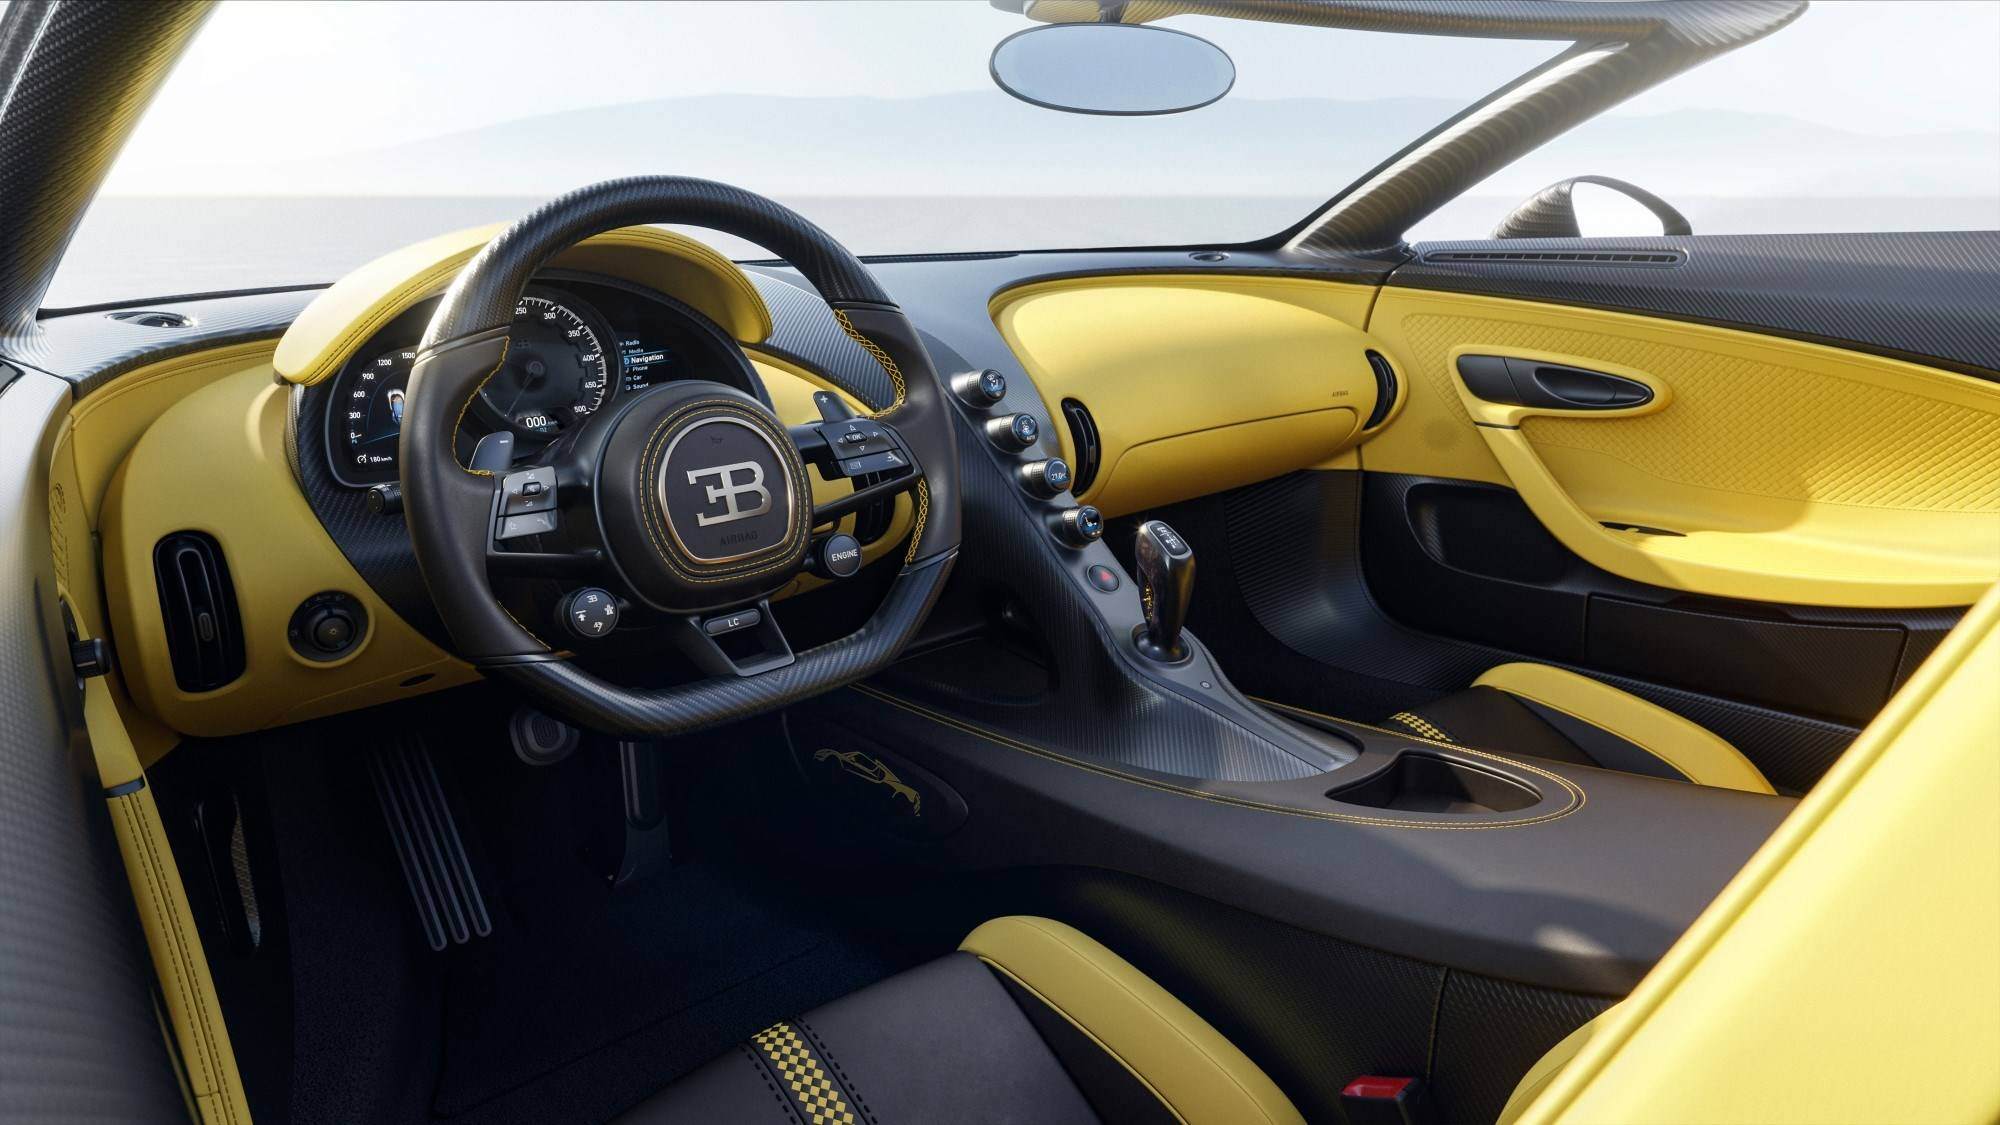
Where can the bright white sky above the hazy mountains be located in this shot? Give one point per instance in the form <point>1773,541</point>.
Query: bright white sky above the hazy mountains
<point>315,79</point>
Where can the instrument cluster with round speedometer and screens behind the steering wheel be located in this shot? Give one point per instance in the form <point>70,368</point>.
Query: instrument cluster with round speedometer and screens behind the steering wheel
<point>577,345</point>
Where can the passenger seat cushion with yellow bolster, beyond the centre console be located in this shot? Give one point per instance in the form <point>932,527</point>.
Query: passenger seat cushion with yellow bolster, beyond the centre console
<point>1549,714</point>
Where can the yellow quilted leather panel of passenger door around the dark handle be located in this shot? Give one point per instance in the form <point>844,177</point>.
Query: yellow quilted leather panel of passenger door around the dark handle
<point>1787,471</point>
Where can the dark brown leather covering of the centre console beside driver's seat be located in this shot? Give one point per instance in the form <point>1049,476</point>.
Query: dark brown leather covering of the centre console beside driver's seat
<point>1583,904</point>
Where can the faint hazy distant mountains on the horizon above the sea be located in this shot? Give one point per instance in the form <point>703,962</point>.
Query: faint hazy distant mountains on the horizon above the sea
<point>989,145</point>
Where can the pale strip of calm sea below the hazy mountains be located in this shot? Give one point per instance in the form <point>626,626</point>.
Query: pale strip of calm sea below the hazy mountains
<point>135,247</point>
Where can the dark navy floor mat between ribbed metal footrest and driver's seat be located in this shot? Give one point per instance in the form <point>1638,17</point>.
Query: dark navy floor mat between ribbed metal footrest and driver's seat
<point>585,1000</point>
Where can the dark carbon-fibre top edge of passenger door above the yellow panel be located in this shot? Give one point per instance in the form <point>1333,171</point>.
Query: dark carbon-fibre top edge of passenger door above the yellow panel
<point>1923,297</point>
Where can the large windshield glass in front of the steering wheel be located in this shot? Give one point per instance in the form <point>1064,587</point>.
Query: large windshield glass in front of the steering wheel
<point>297,141</point>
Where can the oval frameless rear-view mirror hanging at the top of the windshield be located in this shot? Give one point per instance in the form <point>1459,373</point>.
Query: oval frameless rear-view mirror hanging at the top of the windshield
<point>1113,69</point>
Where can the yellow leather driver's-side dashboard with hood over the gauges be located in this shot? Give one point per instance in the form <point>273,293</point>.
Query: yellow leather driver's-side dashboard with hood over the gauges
<point>199,443</point>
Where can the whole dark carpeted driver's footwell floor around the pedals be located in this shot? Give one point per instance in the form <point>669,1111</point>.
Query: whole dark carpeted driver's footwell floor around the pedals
<point>585,998</point>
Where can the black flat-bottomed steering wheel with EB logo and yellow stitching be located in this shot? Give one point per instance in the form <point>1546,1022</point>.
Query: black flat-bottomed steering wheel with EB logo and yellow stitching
<point>691,497</point>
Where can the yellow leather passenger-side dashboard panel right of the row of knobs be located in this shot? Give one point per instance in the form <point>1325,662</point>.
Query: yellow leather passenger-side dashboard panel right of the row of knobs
<point>1197,383</point>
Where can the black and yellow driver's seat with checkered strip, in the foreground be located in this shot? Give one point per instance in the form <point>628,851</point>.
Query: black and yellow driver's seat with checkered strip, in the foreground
<point>1027,1022</point>
